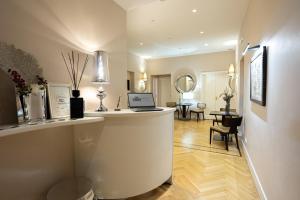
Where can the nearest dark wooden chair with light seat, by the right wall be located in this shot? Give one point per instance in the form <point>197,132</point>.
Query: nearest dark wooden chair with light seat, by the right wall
<point>229,126</point>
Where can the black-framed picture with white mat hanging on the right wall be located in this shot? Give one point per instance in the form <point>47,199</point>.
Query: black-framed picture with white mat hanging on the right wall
<point>258,76</point>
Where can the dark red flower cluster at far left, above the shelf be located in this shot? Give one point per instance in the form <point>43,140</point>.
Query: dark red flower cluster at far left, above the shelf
<point>22,87</point>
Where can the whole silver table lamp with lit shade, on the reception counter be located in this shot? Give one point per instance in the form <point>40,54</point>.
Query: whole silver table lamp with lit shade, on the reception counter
<point>102,76</point>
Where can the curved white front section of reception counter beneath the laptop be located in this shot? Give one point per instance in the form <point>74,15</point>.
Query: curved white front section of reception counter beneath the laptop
<point>127,155</point>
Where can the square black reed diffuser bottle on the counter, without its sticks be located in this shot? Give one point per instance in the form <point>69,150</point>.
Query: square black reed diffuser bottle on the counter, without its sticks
<point>76,105</point>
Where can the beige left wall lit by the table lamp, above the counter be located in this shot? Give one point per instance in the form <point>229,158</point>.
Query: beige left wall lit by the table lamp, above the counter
<point>44,28</point>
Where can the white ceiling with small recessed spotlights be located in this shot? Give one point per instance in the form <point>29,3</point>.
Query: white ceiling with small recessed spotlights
<point>168,28</point>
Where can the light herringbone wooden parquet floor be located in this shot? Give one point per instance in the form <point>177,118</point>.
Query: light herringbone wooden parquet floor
<point>204,172</point>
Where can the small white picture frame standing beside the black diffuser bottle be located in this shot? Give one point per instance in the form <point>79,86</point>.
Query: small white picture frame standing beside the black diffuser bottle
<point>59,100</point>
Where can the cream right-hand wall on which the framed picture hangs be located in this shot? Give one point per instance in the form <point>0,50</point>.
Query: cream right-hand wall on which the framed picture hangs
<point>272,136</point>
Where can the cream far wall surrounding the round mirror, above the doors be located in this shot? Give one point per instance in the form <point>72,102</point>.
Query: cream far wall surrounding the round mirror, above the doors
<point>194,65</point>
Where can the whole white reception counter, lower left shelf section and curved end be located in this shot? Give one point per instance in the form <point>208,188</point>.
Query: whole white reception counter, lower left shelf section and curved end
<point>123,153</point>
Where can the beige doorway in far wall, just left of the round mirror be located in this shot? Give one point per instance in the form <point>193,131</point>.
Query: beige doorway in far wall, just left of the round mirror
<point>161,88</point>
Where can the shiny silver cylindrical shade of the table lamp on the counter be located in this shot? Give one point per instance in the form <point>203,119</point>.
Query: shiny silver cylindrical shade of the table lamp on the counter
<point>102,71</point>
